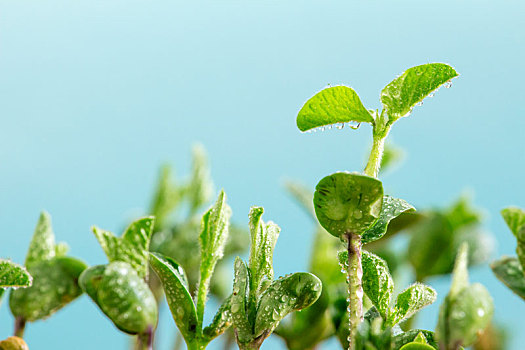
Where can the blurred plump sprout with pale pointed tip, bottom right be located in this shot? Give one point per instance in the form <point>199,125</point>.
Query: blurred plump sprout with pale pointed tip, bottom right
<point>466,310</point>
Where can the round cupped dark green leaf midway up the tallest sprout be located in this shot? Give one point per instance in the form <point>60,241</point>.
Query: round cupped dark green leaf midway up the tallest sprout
<point>347,203</point>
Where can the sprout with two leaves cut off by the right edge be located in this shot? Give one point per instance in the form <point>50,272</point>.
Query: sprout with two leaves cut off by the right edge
<point>510,270</point>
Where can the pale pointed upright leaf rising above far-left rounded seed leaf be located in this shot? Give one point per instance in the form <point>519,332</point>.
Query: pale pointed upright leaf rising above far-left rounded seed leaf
<point>42,246</point>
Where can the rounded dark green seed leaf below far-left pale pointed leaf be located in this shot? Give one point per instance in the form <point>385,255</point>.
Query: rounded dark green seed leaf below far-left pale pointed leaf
<point>54,286</point>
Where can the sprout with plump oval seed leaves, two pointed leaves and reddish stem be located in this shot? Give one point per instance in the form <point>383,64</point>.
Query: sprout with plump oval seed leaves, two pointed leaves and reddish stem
<point>119,288</point>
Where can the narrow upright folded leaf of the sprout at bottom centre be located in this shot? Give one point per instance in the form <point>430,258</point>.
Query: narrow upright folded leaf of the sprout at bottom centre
<point>263,240</point>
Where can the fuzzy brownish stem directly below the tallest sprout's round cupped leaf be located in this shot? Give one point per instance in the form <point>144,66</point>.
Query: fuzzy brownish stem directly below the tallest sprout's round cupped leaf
<point>355,288</point>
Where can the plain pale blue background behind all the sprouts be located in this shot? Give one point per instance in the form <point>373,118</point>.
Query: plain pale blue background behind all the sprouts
<point>95,95</point>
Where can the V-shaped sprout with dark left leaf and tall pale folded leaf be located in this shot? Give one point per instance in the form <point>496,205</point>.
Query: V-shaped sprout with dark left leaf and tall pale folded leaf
<point>187,313</point>
